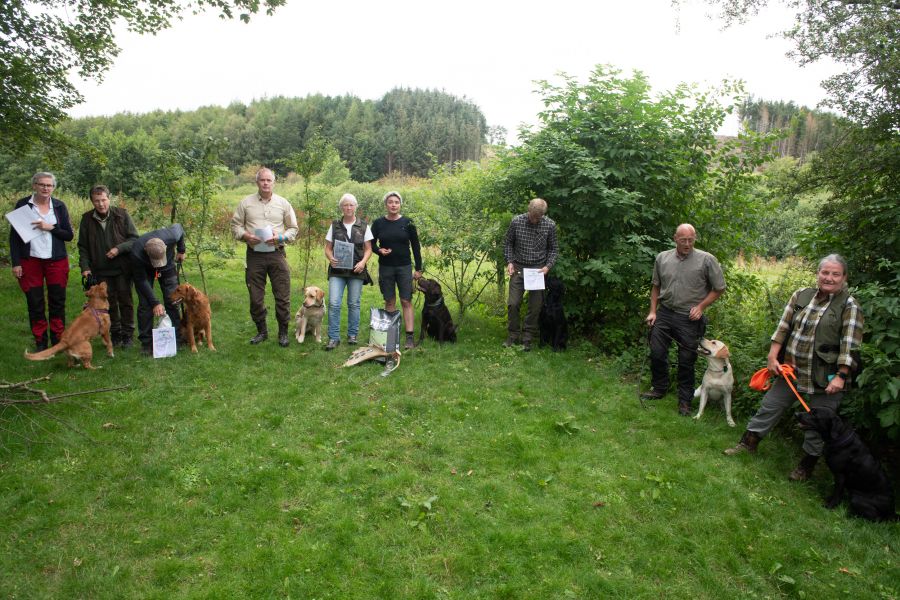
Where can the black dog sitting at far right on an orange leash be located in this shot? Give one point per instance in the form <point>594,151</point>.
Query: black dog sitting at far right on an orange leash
<point>854,468</point>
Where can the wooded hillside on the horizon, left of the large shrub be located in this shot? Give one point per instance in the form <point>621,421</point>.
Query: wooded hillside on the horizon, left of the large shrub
<point>406,131</point>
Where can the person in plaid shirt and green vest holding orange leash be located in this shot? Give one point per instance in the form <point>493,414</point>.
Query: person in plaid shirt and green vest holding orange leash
<point>819,333</point>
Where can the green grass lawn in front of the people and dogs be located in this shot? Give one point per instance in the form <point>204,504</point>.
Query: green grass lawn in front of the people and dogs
<point>472,471</point>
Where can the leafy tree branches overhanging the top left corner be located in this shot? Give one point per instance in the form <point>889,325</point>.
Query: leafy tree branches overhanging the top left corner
<point>43,42</point>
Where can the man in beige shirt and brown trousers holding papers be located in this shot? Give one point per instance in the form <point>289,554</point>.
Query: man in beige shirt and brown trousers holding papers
<point>266,222</point>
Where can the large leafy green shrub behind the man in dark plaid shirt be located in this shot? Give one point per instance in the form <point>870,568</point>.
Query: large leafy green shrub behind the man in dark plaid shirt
<point>620,169</point>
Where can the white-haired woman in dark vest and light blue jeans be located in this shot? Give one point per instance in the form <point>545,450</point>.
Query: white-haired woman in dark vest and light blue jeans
<point>352,230</point>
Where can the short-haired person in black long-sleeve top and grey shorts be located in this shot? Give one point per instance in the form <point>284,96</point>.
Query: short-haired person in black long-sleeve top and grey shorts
<point>394,236</point>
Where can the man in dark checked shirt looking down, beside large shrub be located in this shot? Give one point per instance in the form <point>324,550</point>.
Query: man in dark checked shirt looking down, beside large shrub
<point>530,244</point>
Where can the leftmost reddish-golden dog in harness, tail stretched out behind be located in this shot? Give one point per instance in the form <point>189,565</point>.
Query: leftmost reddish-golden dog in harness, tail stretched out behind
<point>76,339</point>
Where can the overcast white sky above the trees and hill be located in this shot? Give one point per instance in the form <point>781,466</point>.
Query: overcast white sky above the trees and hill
<point>490,52</point>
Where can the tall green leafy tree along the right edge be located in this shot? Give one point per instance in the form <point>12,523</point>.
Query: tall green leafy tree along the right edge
<point>859,172</point>
